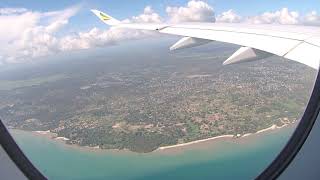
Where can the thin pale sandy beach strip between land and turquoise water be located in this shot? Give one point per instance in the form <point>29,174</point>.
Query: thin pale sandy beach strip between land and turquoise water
<point>64,140</point>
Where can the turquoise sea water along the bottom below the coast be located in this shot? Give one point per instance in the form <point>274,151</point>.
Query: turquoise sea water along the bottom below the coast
<point>244,158</point>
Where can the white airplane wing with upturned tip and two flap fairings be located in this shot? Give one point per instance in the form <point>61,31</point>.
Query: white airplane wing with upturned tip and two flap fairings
<point>298,43</point>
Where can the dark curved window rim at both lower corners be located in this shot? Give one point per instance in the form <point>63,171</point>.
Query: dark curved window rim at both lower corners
<point>272,172</point>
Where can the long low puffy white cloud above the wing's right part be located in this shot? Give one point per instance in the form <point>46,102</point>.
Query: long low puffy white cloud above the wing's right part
<point>283,16</point>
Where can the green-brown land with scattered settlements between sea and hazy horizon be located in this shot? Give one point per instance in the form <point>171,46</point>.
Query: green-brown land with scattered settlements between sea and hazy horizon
<point>141,102</point>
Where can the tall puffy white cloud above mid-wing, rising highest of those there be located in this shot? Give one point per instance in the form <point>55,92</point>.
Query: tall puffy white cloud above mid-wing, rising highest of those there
<point>194,11</point>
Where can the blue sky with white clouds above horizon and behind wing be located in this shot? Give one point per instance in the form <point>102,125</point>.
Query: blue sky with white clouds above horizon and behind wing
<point>31,29</point>
